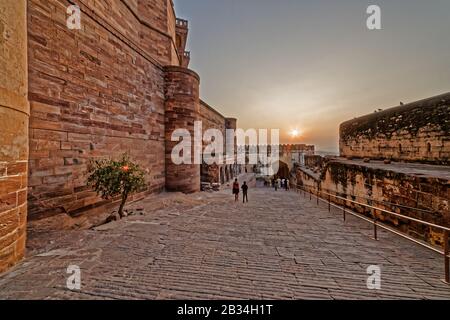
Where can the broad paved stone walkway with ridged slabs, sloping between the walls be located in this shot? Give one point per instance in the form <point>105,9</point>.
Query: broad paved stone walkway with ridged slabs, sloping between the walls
<point>279,246</point>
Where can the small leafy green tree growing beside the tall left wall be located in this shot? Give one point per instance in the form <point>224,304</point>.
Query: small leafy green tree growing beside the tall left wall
<point>110,178</point>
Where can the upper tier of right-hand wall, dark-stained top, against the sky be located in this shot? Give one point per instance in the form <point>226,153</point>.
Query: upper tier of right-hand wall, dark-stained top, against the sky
<point>419,131</point>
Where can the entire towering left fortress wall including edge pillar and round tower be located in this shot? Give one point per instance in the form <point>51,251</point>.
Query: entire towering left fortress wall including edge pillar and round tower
<point>119,84</point>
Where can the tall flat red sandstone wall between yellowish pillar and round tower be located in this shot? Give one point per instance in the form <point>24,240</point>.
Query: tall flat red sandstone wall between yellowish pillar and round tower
<point>94,92</point>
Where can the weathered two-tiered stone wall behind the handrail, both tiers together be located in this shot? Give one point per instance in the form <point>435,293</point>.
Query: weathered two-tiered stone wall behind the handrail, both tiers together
<point>417,133</point>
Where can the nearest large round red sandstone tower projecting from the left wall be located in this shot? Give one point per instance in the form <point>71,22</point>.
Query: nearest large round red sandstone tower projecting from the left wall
<point>182,109</point>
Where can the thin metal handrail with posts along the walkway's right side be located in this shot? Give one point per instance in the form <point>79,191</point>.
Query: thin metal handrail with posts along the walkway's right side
<point>445,252</point>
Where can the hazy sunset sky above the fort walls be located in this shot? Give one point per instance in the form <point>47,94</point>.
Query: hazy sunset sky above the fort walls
<point>313,64</point>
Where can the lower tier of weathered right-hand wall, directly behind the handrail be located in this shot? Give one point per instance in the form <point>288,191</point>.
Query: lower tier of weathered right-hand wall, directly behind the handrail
<point>388,190</point>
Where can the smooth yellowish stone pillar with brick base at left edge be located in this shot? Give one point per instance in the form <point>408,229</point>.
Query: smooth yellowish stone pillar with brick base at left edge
<point>14,115</point>
